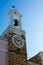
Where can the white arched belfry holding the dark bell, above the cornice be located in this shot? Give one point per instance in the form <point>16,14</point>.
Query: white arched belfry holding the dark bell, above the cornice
<point>15,19</point>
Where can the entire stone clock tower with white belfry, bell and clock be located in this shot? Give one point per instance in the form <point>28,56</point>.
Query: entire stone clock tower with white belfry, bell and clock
<point>16,39</point>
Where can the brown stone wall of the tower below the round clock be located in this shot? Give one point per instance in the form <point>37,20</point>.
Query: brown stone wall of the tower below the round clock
<point>16,56</point>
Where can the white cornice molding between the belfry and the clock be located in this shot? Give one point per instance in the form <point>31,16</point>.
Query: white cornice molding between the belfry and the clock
<point>14,31</point>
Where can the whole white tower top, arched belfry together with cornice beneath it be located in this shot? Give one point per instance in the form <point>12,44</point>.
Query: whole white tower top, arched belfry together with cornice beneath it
<point>15,24</point>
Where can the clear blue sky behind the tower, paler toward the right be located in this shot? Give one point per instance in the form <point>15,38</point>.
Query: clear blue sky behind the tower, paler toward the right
<point>32,22</point>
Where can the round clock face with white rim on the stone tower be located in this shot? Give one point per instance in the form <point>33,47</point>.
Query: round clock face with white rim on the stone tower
<point>18,41</point>
